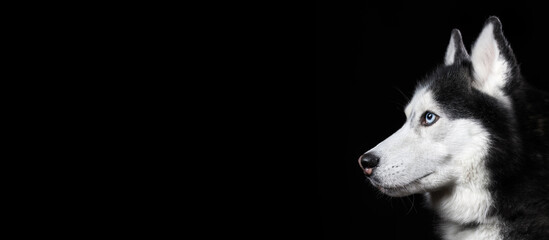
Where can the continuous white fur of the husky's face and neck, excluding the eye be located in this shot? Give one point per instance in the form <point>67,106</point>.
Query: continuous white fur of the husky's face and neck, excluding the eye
<point>452,152</point>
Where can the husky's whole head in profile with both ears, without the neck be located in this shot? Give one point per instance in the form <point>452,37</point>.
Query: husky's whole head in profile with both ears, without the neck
<point>442,143</point>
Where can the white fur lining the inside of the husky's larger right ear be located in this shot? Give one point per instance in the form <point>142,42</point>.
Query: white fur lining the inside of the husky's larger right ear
<point>490,67</point>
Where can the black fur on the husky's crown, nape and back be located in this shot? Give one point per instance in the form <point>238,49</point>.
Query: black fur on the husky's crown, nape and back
<point>518,161</point>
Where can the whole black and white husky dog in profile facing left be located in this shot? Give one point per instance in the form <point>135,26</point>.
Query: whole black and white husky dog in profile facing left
<point>475,142</point>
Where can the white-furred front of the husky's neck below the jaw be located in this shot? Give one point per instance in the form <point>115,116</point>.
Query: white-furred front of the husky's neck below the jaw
<point>466,211</point>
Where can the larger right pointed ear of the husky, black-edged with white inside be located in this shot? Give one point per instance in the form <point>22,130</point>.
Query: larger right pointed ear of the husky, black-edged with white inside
<point>494,64</point>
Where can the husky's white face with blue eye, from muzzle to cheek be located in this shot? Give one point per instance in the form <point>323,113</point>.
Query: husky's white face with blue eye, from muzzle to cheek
<point>431,149</point>
